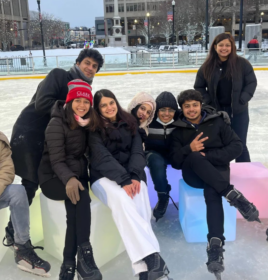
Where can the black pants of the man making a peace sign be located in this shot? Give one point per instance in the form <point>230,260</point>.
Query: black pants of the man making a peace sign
<point>198,172</point>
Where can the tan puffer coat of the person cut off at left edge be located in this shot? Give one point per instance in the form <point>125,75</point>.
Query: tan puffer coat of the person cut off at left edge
<point>7,170</point>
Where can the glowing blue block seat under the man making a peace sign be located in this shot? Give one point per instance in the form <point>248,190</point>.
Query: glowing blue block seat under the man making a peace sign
<point>192,215</point>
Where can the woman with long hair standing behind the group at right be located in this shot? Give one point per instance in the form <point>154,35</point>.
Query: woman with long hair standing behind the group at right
<point>227,82</point>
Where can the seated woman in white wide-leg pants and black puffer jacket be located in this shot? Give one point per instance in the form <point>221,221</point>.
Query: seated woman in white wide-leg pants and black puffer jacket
<point>118,179</point>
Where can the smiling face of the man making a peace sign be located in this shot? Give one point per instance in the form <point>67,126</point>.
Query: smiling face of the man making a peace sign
<point>192,111</point>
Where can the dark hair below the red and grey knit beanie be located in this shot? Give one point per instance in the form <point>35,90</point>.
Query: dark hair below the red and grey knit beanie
<point>91,115</point>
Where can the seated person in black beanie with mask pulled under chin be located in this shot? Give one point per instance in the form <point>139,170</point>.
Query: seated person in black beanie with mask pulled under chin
<point>157,148</point>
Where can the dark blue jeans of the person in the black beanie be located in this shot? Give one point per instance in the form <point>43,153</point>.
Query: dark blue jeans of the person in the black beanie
<point>157,164</point>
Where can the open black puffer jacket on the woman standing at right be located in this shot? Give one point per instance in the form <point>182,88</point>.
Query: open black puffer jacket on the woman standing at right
<point>244,85</point>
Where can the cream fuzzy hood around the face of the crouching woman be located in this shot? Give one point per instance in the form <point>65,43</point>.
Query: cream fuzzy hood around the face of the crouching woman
<point>138,99</point>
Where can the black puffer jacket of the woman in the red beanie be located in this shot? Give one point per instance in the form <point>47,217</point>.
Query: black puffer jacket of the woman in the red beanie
<point>64,150</point>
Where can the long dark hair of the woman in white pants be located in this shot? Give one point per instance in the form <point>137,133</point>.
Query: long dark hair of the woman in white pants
<point>122,115</point>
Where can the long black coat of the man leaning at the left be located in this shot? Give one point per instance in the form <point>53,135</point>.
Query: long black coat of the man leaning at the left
<point>27,140</point>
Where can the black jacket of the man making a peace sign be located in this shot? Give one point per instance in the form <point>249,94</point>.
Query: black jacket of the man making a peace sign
<point>222,146</point>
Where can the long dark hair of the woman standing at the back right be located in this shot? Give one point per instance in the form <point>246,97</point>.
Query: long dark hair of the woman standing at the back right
<point>213,61</point>
